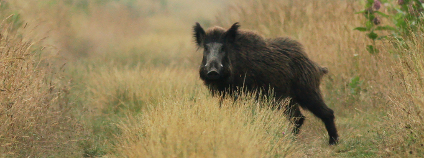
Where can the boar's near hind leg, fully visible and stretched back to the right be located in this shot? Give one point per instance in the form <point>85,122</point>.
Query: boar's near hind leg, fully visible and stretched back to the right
<point>312,100</point>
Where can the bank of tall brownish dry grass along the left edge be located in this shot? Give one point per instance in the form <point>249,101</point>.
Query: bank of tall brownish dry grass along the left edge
<point>34,112</point>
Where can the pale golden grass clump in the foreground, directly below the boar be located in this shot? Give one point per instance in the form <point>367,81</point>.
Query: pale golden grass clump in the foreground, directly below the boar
<point>192,127</point>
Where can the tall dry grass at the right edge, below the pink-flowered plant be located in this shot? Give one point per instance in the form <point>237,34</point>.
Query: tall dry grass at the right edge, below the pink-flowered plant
<point>405,92</point>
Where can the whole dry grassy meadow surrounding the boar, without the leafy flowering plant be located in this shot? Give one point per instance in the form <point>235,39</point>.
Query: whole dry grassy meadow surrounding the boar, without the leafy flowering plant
<point>119,78</point>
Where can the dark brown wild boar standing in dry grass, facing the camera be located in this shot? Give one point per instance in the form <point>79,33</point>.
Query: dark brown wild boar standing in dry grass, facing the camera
<point>236,59</point>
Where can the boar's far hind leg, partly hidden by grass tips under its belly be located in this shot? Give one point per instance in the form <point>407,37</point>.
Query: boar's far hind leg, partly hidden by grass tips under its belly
<point>292,111</point>
